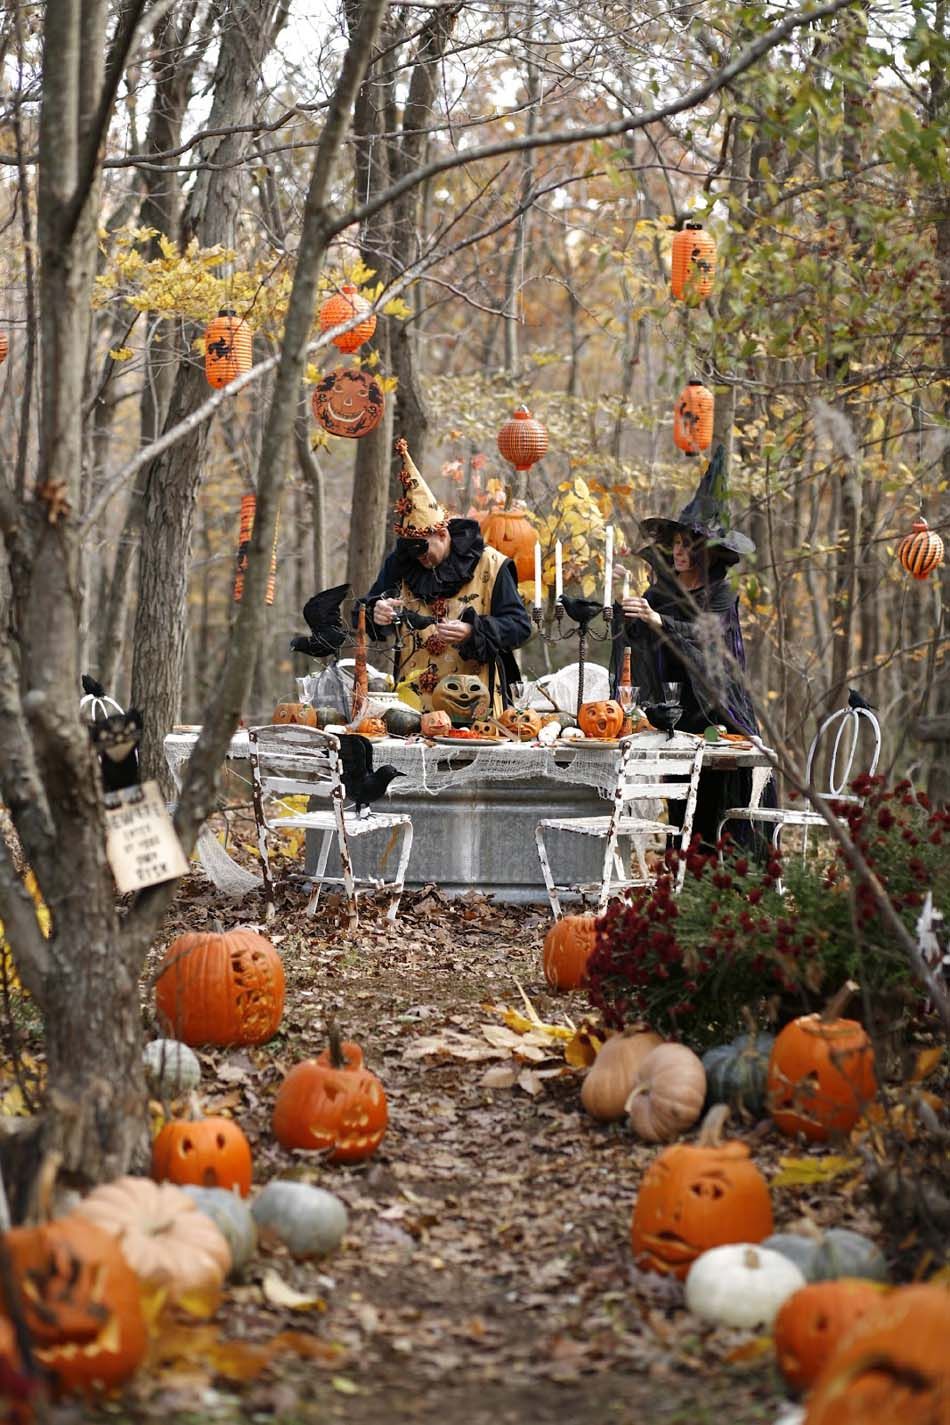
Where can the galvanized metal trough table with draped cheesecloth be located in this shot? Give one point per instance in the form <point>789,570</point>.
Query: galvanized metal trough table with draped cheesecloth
<point>475,810</point>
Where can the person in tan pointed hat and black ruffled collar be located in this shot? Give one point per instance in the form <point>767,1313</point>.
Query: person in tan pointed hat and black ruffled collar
<point>456,596</point>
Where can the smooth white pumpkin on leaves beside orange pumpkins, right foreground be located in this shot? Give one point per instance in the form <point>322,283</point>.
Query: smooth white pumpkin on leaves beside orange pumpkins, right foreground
<point>741,1285</point>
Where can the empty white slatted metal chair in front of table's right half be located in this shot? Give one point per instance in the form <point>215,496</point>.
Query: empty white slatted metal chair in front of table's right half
<point>644,774</point>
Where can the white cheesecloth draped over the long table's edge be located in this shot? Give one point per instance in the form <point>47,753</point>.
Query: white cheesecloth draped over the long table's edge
<point>431,769</point>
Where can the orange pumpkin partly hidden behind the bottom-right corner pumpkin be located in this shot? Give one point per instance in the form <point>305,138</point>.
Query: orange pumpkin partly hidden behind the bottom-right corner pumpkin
<point>814,1320</point>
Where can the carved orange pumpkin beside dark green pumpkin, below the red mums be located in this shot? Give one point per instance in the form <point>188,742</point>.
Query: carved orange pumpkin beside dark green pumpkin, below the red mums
<point>821,1077</point>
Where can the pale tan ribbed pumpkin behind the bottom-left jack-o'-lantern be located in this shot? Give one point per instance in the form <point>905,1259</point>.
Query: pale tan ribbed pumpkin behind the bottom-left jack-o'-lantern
<point>165,1239</point>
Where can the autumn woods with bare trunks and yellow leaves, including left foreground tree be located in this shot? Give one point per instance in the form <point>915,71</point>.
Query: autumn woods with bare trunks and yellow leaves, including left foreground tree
<point>503,185</point>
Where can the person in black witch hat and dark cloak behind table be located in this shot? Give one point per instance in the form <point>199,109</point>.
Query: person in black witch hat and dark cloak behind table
<point>686,631</point>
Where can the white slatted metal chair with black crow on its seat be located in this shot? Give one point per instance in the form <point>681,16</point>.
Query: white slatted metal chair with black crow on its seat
<point>303,762</point>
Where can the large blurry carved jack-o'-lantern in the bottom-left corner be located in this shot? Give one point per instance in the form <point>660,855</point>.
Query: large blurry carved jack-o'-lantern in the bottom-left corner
<point>80,1302</point>
